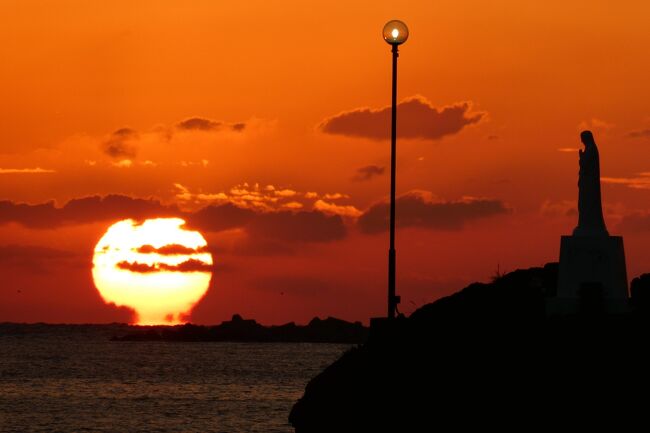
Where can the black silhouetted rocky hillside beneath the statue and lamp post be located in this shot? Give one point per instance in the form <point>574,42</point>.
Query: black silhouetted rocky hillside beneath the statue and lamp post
<point>488,356</point>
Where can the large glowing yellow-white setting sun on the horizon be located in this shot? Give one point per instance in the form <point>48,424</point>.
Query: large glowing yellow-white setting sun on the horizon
<point>157,268</point>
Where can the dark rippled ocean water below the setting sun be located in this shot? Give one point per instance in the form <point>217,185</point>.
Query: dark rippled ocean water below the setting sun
<point>73,379</point>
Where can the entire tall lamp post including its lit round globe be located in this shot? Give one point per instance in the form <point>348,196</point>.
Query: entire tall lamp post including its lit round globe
<point>395,34</point>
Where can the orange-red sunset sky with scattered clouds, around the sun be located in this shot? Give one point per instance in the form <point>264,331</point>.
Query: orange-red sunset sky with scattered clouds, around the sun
<point>264,125</point>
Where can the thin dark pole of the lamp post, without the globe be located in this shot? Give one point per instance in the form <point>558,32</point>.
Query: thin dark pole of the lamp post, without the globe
<point>393,300</point>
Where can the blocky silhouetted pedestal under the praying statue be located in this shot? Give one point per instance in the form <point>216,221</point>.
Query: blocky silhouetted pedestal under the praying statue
<point>592,262</point>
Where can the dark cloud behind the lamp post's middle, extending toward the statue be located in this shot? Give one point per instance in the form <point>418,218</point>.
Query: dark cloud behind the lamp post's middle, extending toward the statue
<point>418,209</point>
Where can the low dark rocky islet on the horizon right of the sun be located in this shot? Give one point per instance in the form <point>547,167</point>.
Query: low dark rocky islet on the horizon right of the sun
<point>329,330</point>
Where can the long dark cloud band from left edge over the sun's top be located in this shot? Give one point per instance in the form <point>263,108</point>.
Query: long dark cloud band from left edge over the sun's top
<point>295,225</point>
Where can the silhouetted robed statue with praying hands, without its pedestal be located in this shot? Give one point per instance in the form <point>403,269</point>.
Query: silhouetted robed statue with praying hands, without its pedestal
<point>590,211</point>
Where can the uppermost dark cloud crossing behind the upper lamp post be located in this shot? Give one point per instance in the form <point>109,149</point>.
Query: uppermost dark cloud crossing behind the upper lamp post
<point>417,119</point>
